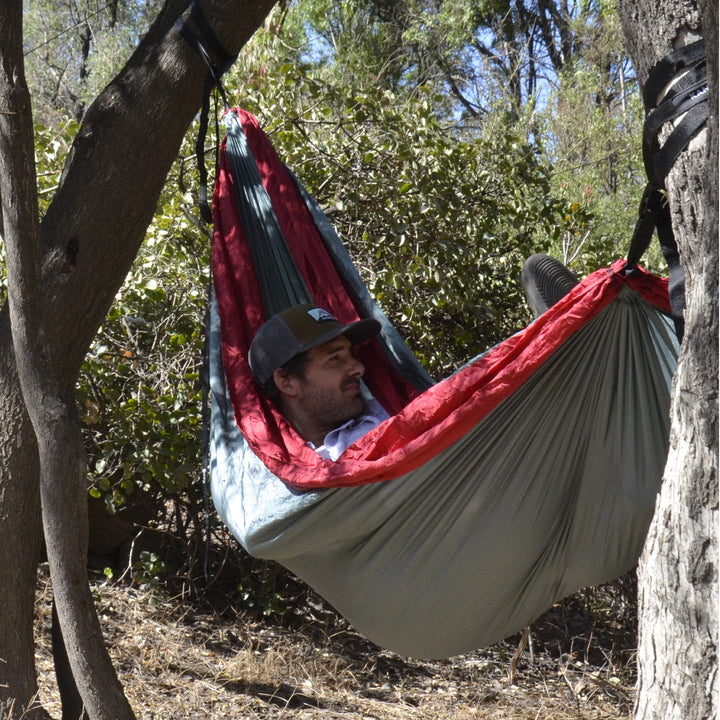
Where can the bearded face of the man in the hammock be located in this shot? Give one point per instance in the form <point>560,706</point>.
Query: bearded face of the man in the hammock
<point>329,387</point>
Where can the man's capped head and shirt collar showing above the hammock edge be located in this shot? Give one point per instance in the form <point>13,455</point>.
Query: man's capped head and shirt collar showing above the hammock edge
<point>302,358</point>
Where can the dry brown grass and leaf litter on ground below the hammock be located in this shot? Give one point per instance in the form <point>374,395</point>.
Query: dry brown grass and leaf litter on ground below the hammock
<point>179,661</point>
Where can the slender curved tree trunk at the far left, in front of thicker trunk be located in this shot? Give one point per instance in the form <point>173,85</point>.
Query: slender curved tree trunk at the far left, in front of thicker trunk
<point>50,404</point>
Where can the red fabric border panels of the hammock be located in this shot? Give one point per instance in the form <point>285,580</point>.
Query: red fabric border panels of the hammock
<point>422,426</point>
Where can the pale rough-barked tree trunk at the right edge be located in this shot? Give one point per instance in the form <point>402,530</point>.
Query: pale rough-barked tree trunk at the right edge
<point>678,572</point>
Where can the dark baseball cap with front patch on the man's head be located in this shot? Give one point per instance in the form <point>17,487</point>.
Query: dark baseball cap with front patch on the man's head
<point>297,329</point>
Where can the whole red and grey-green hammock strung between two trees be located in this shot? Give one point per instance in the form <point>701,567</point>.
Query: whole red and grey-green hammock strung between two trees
<point>528,474</point>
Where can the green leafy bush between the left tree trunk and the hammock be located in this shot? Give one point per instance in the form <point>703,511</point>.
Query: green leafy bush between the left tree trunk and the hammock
<point>139,390</point>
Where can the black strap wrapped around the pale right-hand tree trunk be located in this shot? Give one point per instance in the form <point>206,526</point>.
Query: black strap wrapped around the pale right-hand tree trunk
<point>688,97</point>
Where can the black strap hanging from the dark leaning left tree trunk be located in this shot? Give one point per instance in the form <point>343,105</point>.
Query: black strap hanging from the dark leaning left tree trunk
<point>204,41</point>
